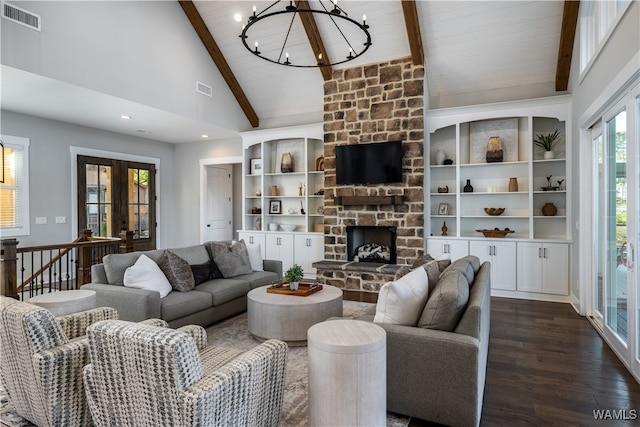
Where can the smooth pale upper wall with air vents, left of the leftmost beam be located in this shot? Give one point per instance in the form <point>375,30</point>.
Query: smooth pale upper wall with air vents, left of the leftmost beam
<point>103,50</point>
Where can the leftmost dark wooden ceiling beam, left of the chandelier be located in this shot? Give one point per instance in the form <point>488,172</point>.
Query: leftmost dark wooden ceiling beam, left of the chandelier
<point>214,51</point>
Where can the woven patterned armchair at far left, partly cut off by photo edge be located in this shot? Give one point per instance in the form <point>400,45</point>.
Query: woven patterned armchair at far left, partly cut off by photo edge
<point>41,360</point>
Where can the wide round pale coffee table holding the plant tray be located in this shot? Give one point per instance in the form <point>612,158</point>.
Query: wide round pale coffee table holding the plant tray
<point>287,317</point>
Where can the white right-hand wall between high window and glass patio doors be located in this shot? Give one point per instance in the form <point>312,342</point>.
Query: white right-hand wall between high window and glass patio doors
<point>621,48</point>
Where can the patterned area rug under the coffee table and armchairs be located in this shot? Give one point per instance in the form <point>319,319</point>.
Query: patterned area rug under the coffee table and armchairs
<point>233,333</point>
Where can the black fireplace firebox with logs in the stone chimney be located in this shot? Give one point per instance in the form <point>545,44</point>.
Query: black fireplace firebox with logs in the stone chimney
<point>371,243</point>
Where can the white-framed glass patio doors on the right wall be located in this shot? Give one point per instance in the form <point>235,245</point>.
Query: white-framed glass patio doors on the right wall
<point>615,196</point>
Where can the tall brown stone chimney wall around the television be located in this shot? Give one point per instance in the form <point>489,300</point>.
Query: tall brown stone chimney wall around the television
<point>368,104</point>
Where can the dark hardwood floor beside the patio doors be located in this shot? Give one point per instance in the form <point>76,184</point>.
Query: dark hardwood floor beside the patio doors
<point>549,367</point>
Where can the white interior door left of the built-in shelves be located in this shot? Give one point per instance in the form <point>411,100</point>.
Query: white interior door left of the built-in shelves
<point>219,202</point>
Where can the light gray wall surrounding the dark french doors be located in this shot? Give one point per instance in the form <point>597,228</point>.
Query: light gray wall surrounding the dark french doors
<point>51,169</point>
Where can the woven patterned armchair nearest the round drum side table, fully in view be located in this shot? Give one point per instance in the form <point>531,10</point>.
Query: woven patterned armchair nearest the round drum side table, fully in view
<point>147,376</point>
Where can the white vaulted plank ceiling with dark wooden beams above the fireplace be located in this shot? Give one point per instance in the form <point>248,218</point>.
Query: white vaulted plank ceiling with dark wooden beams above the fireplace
<point>467,47</point>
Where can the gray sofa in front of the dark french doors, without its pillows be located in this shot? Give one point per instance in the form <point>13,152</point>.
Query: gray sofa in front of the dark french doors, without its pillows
<point>208,302</point>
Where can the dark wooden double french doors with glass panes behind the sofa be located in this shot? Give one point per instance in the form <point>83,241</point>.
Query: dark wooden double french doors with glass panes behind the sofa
<point>116,195</point>
